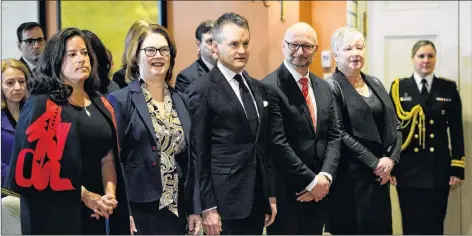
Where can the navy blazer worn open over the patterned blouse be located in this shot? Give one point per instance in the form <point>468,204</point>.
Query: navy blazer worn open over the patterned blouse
<point>139,150</point>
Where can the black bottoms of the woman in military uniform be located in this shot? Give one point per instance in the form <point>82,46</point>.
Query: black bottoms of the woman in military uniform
<point>423,210</point>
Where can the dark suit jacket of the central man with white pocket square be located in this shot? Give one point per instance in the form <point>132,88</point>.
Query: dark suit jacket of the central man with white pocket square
<point>227,153</point>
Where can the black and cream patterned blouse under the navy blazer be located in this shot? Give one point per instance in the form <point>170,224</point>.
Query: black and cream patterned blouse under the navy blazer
<point>170,138</point>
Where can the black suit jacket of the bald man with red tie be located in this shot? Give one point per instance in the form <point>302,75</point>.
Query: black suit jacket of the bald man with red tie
<point>300,152</point>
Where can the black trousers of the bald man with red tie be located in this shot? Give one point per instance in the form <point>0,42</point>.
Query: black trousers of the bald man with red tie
<point>307,218</point>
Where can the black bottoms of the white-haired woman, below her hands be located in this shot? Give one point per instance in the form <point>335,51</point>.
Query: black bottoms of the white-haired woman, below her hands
<point>360,206</point>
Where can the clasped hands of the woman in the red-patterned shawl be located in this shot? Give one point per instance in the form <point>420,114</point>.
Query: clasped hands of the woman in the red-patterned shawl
<point>100,205</point>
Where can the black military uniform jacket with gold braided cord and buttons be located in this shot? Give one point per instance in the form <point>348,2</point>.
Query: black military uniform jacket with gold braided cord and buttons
<point>432,165</point>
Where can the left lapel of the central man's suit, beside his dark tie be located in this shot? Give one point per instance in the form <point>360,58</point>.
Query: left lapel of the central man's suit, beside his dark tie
<point>225,89</point>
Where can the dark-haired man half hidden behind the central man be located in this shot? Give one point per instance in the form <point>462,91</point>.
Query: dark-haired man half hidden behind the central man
<point>206,58</point>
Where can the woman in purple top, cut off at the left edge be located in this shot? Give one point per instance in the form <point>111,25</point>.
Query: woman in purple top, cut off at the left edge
<point>15,75</point>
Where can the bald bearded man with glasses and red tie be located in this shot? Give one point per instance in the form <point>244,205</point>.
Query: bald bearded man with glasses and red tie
<point>305,136</point>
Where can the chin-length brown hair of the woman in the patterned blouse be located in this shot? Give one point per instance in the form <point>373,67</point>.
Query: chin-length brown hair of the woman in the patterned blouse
<point>133,50</point>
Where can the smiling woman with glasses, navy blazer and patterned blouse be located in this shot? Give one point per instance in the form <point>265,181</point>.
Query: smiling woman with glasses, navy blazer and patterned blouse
<point>154,135</point>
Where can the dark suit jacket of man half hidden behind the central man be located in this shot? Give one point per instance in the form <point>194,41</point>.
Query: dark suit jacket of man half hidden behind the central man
<point>190,74</point>
